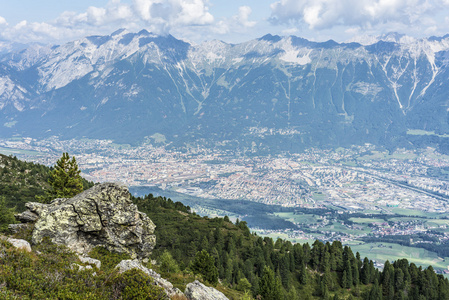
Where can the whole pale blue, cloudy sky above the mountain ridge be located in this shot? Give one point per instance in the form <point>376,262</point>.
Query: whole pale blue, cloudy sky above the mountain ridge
<point>232,21</point>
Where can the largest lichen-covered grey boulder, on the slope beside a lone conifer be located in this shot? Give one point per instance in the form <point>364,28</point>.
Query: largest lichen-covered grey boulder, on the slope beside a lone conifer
<point>101,216</point>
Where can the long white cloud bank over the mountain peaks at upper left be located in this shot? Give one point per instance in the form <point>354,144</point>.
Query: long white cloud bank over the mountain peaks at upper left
<point>159,16</point>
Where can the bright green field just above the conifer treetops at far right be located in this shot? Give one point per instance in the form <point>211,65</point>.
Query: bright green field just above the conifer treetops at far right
<point>387,251</point>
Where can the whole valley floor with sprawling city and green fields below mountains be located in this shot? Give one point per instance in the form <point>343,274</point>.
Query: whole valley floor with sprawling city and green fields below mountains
<point>387,204</point>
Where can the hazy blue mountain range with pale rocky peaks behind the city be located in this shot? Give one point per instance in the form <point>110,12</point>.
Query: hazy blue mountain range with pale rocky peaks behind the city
<point>269,94</point>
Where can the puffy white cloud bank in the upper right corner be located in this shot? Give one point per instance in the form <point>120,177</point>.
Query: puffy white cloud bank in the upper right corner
<point>325,14</point>
